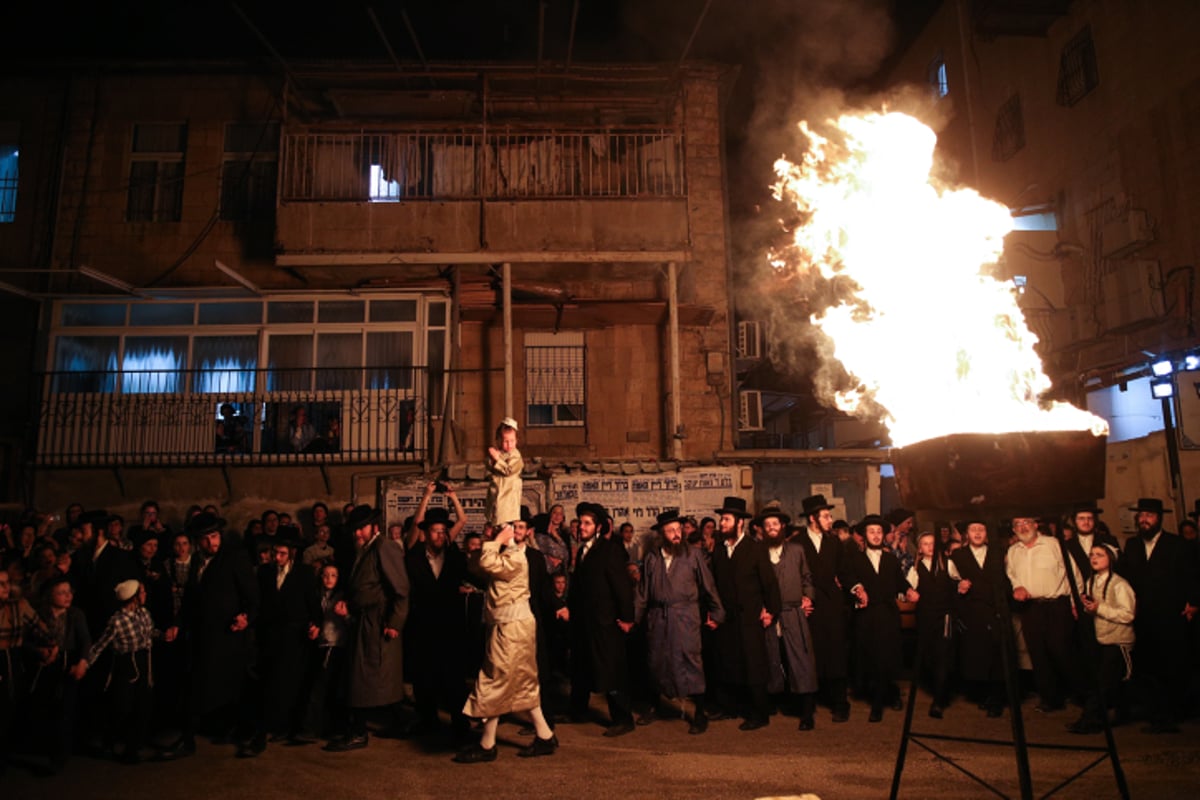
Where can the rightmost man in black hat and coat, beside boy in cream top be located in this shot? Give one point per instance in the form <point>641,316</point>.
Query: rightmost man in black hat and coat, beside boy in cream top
<point>1162,569</point>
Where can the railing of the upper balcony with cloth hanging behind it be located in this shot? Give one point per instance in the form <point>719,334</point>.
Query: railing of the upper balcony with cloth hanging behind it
<point>371,166</point>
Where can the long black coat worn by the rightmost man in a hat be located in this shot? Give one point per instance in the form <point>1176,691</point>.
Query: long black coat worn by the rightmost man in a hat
<point>1163,585</point>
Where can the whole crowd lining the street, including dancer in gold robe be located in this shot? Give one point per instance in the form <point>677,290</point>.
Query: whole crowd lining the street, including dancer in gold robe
<point>130,642</point>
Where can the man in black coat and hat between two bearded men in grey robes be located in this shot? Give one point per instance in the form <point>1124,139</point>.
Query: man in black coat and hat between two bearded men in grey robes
<point>749,590</point>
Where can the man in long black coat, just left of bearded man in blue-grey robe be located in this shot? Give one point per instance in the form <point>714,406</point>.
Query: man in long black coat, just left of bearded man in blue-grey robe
<point>602,613</point>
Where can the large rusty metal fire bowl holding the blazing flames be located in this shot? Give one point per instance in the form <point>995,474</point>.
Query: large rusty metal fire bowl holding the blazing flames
<point>1019,473</point>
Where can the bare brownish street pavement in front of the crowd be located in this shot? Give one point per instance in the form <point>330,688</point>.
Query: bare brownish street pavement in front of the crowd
<point>661,761</point>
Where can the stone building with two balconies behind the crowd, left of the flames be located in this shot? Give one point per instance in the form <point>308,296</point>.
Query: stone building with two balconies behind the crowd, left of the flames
<point>259,290</point>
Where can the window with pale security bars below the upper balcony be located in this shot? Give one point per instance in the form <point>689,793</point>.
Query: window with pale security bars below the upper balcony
<point>556,380</point>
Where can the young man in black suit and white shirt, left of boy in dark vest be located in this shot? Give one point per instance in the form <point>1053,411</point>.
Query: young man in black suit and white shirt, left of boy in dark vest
<point>879,581</point>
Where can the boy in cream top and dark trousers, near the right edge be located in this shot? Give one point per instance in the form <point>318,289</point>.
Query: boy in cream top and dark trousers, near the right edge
<point>1111,601</point>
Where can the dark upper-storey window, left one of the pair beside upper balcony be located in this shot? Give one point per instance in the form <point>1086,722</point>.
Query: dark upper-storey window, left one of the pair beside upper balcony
<point>157,173</point>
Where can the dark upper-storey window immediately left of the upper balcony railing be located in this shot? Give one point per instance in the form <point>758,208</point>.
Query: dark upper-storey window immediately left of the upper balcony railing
<point>249,171</point>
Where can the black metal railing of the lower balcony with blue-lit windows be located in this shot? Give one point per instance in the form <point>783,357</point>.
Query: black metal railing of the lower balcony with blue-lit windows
<point>241,417</point>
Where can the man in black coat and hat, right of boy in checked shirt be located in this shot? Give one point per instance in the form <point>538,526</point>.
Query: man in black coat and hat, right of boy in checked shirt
<point>220,606</point>
